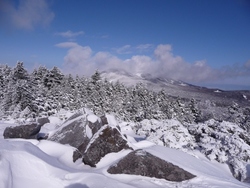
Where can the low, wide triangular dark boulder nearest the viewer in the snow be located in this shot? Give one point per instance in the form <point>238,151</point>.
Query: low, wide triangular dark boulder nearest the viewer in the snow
<point>142,163</point>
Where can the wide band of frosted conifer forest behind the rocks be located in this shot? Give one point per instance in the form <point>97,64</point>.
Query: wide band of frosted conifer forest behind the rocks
<point>44,92</point>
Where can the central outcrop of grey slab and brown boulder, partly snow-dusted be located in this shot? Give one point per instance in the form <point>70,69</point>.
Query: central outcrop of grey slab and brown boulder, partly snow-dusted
<point>79,130</point>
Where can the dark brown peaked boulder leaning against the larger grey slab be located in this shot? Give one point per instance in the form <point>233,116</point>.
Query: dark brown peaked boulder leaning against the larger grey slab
<point>107,140</point>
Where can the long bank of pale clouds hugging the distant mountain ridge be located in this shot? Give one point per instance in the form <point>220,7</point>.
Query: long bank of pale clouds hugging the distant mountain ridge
<point>82,60</point>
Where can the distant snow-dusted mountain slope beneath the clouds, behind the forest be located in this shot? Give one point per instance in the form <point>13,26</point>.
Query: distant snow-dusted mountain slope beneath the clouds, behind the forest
<point>177,88</point>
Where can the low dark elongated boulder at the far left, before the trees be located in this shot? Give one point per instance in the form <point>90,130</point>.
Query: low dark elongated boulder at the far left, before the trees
<point>28,131</point>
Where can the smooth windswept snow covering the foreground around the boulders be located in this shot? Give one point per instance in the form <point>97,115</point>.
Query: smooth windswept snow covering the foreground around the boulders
<point>32,163</point>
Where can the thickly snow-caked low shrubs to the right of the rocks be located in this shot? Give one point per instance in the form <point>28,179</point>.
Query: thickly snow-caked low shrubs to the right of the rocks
<point>224,142</point>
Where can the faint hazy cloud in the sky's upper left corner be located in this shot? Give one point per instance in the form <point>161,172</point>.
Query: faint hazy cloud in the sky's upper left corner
<point>27,14</point>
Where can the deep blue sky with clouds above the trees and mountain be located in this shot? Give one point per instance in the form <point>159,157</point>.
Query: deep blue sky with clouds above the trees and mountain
<point>205,42</point>
